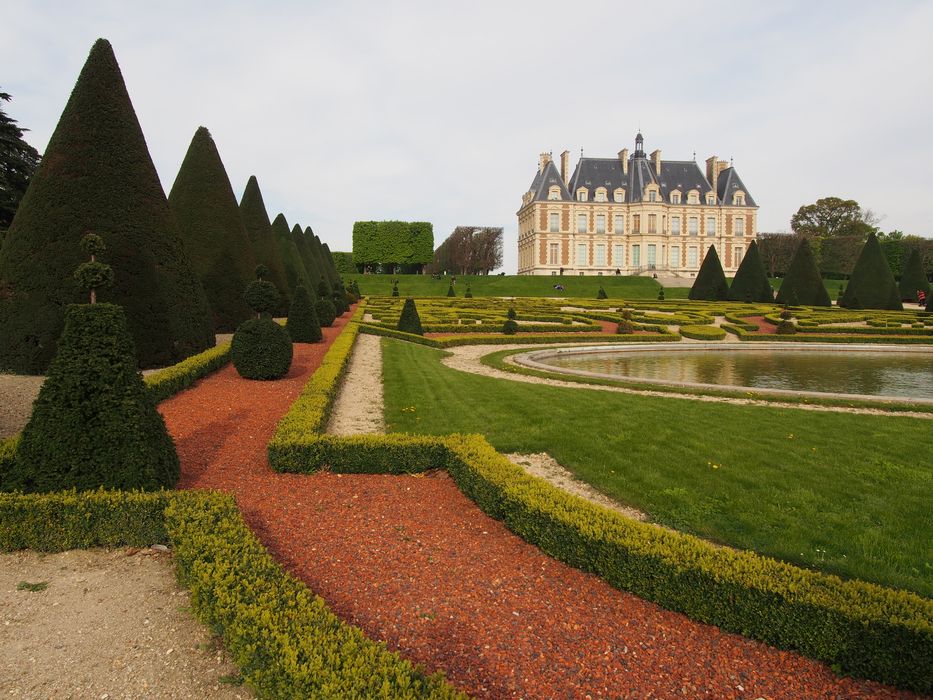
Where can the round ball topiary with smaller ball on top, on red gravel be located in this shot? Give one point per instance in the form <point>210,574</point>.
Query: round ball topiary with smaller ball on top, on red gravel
<point>261,348</point>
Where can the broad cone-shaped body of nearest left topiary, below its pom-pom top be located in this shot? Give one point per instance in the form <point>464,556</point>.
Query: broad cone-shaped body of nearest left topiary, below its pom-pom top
<point>94,423</point>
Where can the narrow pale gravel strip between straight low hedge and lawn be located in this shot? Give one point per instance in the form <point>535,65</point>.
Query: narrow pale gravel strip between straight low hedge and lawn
<point>358,408</point>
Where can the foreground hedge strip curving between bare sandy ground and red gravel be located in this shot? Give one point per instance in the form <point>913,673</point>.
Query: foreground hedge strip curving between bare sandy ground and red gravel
<point>283,638</point>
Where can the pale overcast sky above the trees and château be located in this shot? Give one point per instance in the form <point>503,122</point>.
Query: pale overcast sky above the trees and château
<point>435,111</point>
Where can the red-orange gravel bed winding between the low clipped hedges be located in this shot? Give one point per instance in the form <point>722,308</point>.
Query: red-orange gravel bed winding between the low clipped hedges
<point>413,562</point>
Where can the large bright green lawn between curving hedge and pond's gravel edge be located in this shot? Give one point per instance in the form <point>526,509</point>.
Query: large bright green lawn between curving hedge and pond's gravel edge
<point>838,492</point>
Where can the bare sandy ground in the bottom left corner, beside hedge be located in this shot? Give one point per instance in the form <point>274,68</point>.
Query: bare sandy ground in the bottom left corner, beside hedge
<point>109,624</point>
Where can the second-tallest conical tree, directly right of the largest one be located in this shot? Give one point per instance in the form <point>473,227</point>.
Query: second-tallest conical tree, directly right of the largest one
<point>216,241</point>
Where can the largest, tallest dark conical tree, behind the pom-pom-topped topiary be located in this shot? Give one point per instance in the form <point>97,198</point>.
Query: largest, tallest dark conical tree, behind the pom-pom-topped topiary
<point>97,176</point>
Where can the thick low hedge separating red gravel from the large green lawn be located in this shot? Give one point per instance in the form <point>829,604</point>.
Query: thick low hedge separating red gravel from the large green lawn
<point>864,629</point>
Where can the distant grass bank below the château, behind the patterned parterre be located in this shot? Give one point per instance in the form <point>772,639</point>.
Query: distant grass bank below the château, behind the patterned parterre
<point>509,285</point>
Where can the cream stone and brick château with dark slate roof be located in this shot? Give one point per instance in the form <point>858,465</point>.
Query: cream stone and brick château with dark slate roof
<point>632,215</point>
